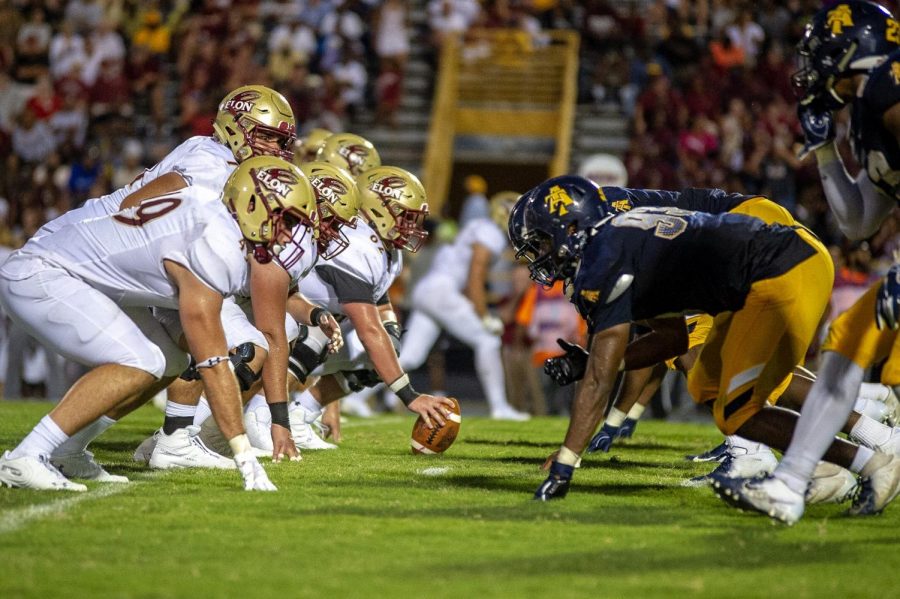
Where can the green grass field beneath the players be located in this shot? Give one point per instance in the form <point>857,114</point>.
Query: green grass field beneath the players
<point>372,520</point>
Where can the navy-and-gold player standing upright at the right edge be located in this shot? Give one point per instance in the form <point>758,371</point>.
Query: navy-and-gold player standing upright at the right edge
<point>851,56</point>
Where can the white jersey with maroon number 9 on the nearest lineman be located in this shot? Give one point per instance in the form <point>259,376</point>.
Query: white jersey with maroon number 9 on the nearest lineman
<point>122,254</point>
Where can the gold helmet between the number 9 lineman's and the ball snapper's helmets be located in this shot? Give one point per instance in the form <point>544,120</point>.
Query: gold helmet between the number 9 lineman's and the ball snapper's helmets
<point>338,202</point>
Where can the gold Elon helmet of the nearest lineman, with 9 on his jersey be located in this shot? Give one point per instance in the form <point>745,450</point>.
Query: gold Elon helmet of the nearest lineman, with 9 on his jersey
<point>275,207</point>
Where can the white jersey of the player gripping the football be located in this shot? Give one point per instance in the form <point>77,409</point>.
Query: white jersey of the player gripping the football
<point>363,272</point>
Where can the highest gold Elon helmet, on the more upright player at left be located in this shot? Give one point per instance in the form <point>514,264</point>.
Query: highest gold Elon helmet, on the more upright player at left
<point>252,110</point>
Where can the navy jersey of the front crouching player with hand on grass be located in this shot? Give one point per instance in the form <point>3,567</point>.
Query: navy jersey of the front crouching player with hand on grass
<point>653,262</point>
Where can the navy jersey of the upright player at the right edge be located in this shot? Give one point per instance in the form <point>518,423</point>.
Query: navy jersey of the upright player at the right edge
<point>873,145</point>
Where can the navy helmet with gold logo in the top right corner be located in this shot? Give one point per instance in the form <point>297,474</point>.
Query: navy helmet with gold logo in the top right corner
<point>841,41</point>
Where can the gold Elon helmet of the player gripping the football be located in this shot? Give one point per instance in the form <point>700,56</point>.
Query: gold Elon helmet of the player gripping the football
<point>393,201</point>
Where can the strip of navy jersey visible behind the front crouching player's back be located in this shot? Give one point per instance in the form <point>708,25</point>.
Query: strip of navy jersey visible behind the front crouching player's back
<point>714,201</point>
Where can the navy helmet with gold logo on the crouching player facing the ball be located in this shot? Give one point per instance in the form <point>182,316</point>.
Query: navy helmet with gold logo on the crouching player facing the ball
<point>551,223</point>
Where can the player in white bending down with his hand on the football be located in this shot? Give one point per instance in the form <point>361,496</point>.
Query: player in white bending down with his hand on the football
<point>354,285</point>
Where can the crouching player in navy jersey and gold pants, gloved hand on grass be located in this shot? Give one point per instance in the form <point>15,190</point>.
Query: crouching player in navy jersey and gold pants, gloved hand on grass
<point>766,286</point>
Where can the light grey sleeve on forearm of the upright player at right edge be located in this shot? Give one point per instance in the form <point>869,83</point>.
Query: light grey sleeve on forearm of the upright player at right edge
<point>858,206</point>
